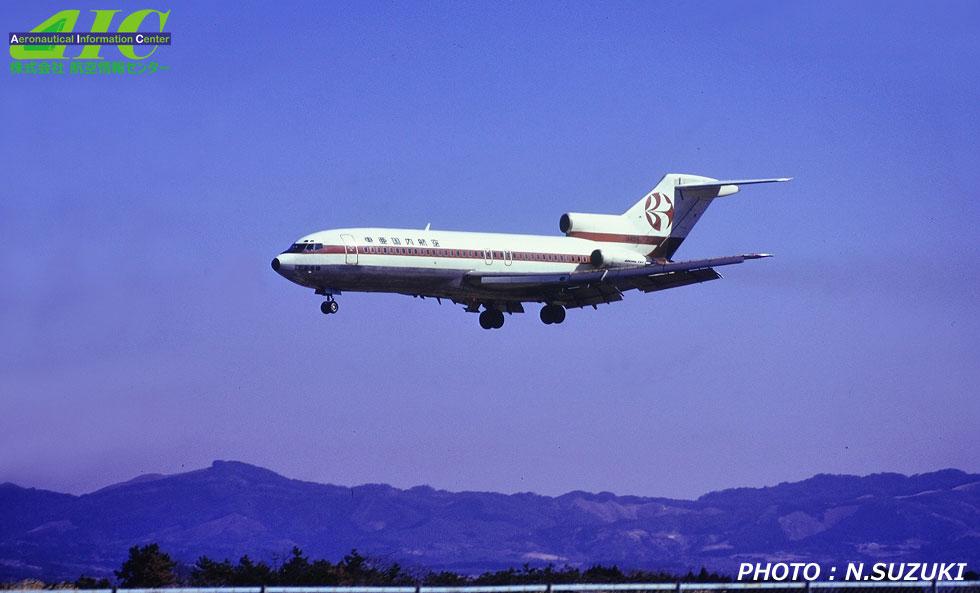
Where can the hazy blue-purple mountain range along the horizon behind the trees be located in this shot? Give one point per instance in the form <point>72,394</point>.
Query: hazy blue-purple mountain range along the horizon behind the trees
<point>232,508</point>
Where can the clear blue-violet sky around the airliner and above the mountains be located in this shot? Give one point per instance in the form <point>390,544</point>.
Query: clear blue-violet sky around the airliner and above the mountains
<point>145,332</point>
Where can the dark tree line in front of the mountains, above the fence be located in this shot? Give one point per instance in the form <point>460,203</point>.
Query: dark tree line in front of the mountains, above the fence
<point>149,566</point>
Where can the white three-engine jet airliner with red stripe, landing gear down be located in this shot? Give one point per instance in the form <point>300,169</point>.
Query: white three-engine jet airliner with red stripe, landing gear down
<point>600,257</point>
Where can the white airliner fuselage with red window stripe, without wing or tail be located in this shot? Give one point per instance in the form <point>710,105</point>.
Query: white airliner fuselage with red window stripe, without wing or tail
<point>430,262</point>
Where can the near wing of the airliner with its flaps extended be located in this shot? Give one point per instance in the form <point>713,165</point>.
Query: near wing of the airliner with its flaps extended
<point>592,287</point>
